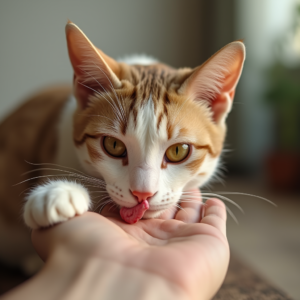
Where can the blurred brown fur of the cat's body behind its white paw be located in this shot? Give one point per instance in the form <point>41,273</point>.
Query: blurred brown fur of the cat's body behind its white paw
<point>27,135</point>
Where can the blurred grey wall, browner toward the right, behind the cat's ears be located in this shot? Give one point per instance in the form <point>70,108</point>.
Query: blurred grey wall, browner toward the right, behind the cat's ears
<point>33,48</point>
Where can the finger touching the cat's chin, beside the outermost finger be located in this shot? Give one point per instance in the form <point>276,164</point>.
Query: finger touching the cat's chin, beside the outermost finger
<point>190,207</point>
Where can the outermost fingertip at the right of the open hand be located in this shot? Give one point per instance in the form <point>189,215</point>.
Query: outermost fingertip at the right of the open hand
<point>214,214</point>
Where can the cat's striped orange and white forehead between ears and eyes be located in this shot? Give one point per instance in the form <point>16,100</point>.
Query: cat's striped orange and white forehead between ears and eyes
<point>148,106</point>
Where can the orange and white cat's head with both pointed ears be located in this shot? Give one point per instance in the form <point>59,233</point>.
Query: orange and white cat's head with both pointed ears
<point>150,131</point>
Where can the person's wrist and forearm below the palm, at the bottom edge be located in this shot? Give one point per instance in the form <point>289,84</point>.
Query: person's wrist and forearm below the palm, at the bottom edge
<point>69,276</point>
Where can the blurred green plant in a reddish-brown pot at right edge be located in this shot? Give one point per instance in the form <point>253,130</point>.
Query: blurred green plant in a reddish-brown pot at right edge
<point>283,97</point>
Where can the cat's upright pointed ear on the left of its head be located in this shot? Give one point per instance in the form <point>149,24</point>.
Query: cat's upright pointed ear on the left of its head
<point>94,71</point>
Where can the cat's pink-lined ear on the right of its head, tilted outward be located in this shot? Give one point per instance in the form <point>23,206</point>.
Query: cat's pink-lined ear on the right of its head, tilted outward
<point>215,81</point>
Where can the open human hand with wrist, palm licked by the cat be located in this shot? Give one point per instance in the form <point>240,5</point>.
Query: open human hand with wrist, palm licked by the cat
<point>97,257</point>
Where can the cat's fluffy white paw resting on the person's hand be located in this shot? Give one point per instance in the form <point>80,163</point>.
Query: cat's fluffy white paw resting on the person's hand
<point>55,202</point>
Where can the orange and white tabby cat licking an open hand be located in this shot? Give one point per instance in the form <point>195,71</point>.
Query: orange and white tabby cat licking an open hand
<point>142,131</point>
